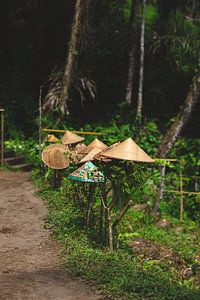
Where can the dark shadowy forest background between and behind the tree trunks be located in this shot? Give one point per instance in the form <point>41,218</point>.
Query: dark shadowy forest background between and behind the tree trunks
<point>34,41</point>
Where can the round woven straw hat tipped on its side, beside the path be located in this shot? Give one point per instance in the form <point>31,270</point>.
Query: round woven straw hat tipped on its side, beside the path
<point>55,156</point>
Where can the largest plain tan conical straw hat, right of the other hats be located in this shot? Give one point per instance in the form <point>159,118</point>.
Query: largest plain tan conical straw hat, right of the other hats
<point>128,150</point>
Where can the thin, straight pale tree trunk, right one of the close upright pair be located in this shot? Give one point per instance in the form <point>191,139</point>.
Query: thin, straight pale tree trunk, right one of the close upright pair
<point>141,73</point>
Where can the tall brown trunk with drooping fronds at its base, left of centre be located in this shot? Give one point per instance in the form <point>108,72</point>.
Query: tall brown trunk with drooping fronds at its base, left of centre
<point>67,76</point>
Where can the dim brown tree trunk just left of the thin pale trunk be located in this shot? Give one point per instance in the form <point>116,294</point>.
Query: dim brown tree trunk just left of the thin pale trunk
<point>129,88</point>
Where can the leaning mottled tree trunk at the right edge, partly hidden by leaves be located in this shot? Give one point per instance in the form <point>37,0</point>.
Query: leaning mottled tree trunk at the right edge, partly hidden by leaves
<point>175,130</point>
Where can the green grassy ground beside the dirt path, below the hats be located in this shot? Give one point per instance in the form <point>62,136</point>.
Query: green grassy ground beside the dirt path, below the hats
<point>130,272</point>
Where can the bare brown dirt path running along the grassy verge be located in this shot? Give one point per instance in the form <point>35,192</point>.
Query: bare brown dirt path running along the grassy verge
<point>29,265</point>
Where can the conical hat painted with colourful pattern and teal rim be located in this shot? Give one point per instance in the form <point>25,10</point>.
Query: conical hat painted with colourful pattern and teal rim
<point>87,173</point>
